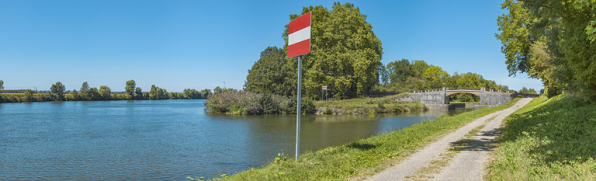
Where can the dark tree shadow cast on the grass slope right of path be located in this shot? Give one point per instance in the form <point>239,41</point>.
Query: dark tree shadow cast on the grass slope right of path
<point>564,127</point>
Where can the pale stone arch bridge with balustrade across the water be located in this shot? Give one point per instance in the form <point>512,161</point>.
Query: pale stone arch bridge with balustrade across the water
<point>490,98</point>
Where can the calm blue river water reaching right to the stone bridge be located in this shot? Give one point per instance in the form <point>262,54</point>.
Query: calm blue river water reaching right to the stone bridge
<point>162,140</point>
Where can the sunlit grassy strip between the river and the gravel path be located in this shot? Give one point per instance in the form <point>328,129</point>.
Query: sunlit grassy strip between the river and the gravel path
<point>364,156</point>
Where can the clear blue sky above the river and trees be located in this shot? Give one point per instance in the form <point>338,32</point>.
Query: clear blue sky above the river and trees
<point>200,44</point>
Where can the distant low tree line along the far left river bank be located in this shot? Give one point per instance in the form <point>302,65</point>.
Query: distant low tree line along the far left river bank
<point>58,92</point>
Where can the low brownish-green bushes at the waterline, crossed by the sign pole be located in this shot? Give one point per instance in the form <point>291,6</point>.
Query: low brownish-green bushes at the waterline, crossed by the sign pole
<point>247,103</point>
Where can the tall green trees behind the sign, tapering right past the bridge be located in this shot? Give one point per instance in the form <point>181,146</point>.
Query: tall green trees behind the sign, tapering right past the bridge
<point>345,56</point>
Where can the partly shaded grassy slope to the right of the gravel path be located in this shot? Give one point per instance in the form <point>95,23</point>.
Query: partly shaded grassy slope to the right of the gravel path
<point>548,139</point>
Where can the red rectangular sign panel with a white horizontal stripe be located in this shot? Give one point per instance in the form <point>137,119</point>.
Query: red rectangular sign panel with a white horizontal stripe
<point>299,36</point>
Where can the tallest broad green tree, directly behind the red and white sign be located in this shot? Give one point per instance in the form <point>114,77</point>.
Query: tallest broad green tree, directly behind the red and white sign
<point>345,52</point>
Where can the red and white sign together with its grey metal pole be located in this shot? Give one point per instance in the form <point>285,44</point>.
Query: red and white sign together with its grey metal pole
<point>299,44</point>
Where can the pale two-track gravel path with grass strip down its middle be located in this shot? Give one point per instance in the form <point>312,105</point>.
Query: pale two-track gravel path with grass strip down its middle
<point>466,165</point>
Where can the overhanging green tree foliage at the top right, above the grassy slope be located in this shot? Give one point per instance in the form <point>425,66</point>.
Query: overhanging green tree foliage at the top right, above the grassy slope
<point>553,41</point>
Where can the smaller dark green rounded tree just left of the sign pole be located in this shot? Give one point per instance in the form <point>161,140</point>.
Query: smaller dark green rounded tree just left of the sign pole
<point>272,73</point>
